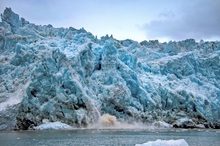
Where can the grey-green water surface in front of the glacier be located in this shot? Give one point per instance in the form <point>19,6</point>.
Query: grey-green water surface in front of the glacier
<point>106,137</point>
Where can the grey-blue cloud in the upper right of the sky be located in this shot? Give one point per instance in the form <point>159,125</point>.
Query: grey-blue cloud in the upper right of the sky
<point>199,19</point>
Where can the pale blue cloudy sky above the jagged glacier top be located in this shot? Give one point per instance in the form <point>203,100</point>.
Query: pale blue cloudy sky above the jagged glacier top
<point>139,20</point>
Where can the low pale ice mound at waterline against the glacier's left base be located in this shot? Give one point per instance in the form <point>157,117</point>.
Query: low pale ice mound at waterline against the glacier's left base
<point>53,126</point>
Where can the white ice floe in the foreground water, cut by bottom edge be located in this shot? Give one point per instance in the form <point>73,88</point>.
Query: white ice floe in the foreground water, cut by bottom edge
<point>179,142</point>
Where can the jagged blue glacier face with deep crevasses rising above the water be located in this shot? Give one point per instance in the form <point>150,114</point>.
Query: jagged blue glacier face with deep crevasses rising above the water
<point>68,75</point>
